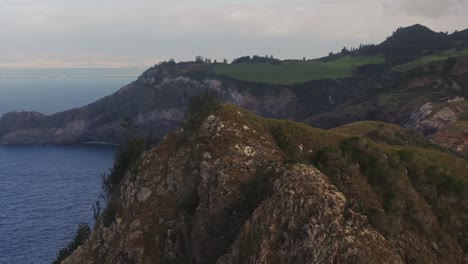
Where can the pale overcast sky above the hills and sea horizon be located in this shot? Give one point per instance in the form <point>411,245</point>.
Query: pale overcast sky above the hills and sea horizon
<point>127,33</point>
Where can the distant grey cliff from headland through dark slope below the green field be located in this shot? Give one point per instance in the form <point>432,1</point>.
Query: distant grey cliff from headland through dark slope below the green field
<point>157,101</point>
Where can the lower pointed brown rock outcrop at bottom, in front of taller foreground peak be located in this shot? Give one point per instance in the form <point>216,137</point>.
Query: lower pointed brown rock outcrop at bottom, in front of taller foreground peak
<point>307,220</point>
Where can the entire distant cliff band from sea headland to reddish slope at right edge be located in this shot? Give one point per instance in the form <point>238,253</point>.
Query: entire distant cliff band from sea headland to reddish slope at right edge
<point>429,99</point>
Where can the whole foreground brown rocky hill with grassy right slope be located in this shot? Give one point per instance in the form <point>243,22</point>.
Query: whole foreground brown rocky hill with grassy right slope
<point>228,194</point>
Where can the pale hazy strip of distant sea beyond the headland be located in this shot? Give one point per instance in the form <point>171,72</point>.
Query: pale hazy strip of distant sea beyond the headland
<point>55,90</point>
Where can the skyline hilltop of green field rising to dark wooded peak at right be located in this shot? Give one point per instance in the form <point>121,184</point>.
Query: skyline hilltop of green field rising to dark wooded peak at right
<point>407,48</point>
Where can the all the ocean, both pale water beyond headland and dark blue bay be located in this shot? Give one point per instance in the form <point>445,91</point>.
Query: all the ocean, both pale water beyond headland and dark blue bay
<point>47,191</point>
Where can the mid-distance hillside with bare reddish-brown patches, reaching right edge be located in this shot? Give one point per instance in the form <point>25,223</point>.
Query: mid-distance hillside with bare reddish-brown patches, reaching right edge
<point>430,99</point>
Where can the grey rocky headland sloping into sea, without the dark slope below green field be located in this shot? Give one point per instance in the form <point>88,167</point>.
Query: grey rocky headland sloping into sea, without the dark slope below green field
<point>156,102</point>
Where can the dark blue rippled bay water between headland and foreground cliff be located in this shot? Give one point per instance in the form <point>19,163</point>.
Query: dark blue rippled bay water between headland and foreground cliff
<point>45,192</point>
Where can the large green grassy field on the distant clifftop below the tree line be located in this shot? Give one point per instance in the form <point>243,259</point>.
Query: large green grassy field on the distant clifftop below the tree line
<point>291,72</point>
